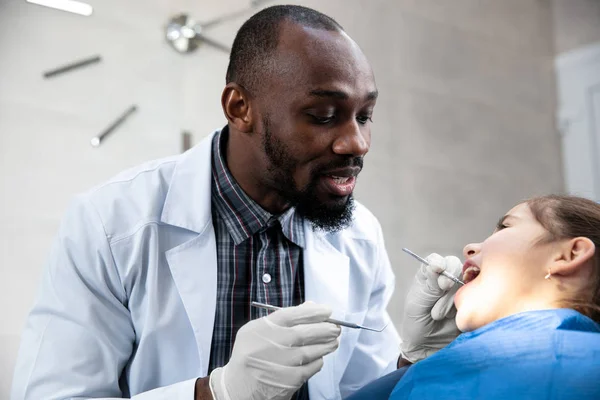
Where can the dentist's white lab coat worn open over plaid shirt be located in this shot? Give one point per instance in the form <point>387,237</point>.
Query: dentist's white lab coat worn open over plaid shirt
<point>127,300</point>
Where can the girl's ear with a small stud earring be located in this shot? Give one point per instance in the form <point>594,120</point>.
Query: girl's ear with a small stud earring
<point>573,254</point>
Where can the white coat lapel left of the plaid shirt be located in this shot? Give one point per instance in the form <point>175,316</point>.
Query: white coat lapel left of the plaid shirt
<point>193,264</point>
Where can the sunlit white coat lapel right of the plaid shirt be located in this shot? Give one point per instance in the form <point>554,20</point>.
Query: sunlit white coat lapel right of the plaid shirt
<point>326,276</point>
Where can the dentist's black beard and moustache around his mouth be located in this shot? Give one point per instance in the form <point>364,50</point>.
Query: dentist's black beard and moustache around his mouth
<point>329,218</point>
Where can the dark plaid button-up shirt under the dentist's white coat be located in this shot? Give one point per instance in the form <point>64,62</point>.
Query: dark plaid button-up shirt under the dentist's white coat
<point>259,256</point>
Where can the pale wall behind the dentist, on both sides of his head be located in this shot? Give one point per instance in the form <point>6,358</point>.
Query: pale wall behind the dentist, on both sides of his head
<point>463,129</point>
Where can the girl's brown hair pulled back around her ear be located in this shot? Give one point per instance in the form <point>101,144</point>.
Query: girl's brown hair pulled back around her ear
<point>566,217</point>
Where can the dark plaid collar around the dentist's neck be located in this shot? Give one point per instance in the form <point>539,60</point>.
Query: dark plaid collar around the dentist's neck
<point>242,215</point>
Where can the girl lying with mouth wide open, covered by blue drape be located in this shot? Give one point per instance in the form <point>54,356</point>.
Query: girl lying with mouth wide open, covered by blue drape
<point>530,313</point>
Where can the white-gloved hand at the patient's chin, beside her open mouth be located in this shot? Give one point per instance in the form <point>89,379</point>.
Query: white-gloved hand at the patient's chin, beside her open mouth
<point>428,324</point>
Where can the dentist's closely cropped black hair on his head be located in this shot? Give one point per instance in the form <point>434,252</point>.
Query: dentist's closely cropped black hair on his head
<point>256,41</point>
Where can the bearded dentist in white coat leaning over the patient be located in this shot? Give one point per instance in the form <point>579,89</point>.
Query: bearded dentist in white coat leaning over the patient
<point>147,291</point>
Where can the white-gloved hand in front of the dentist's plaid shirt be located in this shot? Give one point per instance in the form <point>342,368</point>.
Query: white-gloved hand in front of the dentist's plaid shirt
<point>273,356</point>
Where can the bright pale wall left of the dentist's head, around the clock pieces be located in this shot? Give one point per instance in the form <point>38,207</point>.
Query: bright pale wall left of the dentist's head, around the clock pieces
<point>46,125</point>
